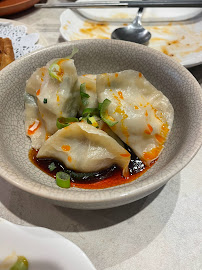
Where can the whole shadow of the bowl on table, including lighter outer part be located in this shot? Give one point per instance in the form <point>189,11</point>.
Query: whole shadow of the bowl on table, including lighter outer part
<point>122,231</point>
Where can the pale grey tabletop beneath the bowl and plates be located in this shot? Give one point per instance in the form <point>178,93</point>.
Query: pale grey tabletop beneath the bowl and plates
<point>161,231</point>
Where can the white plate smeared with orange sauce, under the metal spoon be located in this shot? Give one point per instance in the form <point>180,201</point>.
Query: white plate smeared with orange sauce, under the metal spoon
<point>181,41</point>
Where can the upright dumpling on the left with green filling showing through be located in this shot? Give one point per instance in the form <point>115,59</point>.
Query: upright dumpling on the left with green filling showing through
<point>56,98</point>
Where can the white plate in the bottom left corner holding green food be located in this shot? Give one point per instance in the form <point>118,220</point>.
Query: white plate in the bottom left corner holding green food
<point>43,248</point>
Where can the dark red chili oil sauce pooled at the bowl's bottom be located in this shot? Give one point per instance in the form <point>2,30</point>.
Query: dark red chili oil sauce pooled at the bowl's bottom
<point>114,178</point>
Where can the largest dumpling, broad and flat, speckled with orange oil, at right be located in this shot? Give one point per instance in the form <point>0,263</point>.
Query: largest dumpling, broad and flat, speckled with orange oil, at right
<point>144,114</point>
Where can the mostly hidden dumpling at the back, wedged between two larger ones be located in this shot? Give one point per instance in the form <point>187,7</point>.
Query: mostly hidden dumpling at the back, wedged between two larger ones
<point>90,85</point>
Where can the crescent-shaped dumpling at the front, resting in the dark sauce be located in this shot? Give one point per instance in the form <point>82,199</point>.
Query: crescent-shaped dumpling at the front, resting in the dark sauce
<point>84,148</point>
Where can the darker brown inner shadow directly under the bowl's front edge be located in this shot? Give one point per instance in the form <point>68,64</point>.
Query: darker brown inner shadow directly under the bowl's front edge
<point>39,212</point>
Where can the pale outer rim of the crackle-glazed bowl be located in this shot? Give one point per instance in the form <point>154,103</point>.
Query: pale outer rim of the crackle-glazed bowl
<point>116,197</point>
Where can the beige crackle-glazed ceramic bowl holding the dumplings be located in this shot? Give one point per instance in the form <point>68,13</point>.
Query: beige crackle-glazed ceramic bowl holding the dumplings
<point>99,56</point>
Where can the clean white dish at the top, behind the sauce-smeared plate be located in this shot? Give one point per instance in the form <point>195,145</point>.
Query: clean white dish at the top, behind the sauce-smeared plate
<point>128,14</point>
